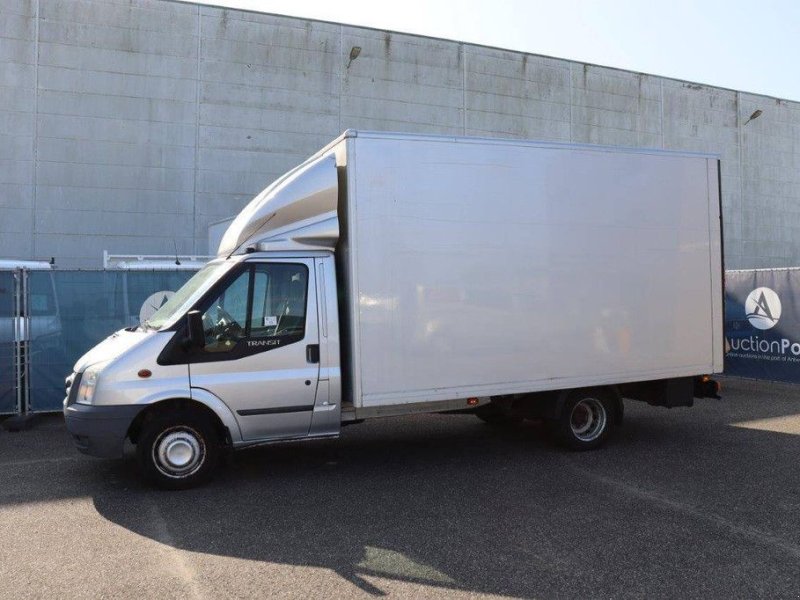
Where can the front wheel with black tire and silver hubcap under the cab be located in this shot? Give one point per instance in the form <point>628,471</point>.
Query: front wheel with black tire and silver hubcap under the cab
<point>179,449</point>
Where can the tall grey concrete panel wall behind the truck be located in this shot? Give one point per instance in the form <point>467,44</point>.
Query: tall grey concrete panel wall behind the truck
<point>130,125</point>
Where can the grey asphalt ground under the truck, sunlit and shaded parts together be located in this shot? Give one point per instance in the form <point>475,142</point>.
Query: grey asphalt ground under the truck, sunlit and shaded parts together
<point>701,502</point>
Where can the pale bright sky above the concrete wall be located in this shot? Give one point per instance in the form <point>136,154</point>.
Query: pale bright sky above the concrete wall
<point>752,46</point>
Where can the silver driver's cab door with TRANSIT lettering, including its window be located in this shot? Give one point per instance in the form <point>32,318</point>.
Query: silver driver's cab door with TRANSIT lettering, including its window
<point>261,353</point>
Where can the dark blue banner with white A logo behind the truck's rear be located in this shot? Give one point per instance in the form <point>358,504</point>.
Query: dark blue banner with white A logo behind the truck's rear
<point>762,324</point>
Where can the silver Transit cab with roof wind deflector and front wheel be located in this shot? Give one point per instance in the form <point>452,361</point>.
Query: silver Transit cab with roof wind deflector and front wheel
<point>246,352</point>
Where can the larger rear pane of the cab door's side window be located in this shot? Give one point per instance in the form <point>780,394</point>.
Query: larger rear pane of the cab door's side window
<point>279,301</point>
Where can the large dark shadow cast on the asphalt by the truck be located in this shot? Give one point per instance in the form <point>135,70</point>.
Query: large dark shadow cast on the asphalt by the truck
<point>469,507</point>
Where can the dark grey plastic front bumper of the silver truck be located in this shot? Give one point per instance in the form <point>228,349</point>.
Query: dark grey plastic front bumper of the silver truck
<point>100,430</point>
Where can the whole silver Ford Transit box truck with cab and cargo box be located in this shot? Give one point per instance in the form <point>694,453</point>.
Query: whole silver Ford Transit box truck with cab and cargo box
<point>392,274</point>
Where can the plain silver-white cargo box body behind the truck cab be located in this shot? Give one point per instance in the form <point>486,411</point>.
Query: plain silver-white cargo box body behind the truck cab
<point>478,267</point>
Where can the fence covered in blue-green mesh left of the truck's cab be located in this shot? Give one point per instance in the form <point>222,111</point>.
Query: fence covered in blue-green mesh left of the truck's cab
<point>50,318</point>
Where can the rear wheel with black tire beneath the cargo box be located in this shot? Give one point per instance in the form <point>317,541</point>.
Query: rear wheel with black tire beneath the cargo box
<point>585,420</point>
